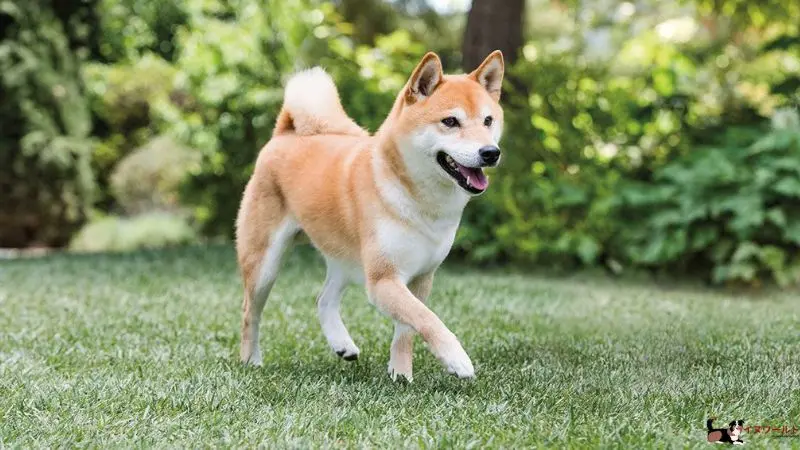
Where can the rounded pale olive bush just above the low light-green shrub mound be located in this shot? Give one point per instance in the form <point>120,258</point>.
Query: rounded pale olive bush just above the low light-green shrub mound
<point>149,178</point>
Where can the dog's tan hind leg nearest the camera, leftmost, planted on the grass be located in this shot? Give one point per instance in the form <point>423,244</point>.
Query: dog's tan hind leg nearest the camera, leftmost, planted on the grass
<point>264,231</point>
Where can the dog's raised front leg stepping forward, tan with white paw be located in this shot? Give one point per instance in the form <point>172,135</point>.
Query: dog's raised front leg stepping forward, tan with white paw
<point>393,298</point>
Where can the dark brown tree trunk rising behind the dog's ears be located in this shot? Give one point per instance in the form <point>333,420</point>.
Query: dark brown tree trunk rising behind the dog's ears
<point>492,25</point>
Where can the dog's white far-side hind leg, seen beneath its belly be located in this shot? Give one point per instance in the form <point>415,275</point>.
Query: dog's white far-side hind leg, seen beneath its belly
<point>330,317</point>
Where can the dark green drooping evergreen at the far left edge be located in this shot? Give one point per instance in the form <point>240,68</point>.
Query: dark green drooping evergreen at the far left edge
<point>45,144</point>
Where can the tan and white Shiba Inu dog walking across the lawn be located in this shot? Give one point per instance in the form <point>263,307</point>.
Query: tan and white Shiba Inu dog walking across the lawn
<point>383,209</point>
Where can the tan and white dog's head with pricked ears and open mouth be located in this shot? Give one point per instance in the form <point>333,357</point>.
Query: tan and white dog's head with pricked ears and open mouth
<point>452,123</point>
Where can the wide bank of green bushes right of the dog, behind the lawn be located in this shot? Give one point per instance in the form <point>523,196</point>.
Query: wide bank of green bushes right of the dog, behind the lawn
<point>584,142</point>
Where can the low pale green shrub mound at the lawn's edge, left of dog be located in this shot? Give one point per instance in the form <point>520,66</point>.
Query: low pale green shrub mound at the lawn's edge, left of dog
<point>146,231</point>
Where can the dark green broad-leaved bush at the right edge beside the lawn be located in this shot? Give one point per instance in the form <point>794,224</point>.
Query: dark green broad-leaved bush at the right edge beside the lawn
<point>730,212</point>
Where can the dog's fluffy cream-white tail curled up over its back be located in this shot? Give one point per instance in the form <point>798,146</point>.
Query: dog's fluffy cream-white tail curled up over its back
<point>311,106</point>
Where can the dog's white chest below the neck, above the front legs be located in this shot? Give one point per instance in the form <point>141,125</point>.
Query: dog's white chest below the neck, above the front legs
<point>415,250</point>
